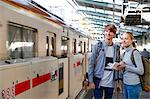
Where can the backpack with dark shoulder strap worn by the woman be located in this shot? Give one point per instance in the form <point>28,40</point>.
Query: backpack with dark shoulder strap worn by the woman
<point>145,78</point>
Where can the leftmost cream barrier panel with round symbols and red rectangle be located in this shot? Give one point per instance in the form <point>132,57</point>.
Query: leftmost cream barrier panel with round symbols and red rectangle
<point>15,81</point>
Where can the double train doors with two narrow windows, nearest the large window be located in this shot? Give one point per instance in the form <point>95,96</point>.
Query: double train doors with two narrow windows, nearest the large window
<point>51,44</point>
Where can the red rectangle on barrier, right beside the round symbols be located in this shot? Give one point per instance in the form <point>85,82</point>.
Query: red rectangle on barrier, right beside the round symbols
<point>21,87</point>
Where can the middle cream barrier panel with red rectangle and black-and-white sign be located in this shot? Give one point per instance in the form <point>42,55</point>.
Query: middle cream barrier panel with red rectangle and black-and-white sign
<point>44,74</point>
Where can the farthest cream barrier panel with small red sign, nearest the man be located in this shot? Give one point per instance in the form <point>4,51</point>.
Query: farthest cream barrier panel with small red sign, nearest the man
<point>75,74</point>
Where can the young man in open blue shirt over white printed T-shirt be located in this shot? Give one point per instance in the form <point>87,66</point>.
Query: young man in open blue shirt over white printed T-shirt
<point>103,58</point>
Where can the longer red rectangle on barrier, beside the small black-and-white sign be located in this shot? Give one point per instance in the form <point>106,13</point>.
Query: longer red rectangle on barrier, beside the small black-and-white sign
<point>41,79</point>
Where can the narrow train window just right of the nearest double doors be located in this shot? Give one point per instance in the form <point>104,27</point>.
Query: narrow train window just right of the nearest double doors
<point>64,46</point>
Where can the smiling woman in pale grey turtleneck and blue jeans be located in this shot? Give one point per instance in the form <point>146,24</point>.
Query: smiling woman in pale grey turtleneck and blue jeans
<point>131,79</point>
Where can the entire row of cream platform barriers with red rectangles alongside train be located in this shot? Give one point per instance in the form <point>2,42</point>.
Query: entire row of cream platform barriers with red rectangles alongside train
<point>46,78</point>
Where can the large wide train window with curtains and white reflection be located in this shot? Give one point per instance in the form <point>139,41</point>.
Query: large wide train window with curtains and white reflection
<point>21,41</point>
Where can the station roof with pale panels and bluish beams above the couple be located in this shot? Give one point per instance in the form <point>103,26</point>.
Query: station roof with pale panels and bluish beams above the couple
<point>99,13</point>
